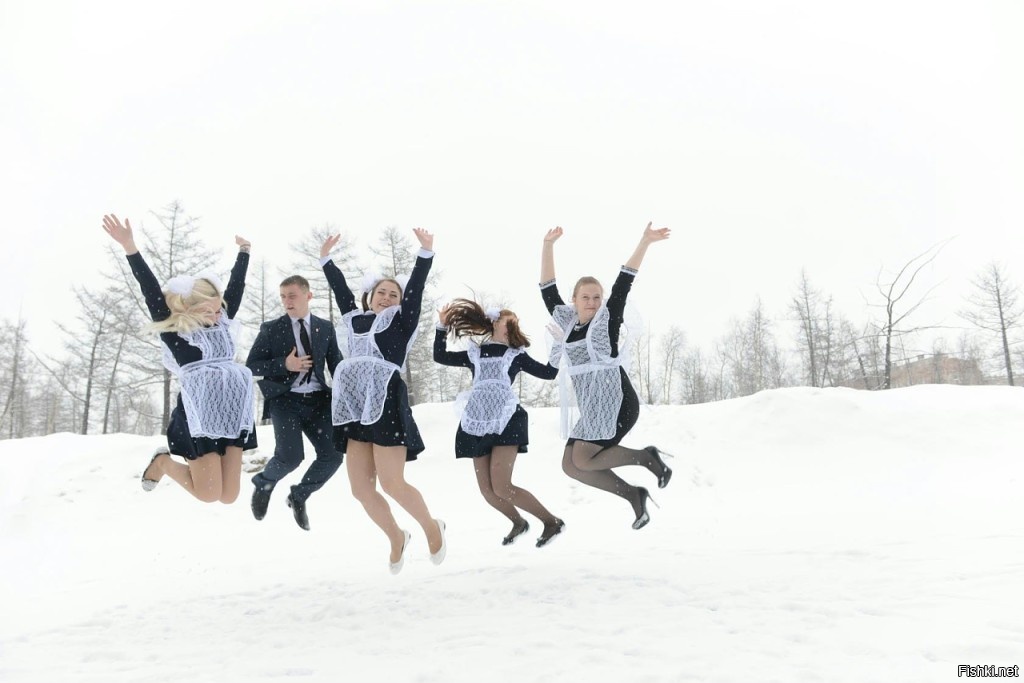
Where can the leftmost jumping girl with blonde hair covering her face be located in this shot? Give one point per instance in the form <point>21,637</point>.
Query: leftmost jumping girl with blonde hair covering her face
<point>214,422</point>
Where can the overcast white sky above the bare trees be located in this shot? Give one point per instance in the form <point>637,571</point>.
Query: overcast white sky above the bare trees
<point>770,136</point>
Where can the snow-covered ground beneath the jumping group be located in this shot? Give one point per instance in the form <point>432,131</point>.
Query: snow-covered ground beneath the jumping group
<point>807,536</point>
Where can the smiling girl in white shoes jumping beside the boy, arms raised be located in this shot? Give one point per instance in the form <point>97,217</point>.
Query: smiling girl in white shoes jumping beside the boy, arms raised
<point>370,407</point>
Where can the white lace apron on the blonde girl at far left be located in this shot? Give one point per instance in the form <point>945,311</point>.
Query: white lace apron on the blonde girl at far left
<point>217,392</point>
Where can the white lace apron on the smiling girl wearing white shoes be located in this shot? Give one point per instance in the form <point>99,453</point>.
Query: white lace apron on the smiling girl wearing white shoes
<point>361,380</point>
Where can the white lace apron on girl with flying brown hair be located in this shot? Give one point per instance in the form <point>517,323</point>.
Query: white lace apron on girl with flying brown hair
<point>488,407</point>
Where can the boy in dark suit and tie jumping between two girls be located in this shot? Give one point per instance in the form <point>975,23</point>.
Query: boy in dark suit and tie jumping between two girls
<point>290,354</point>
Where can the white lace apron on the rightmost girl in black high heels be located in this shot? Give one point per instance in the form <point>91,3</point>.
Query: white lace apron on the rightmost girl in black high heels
<point>590,406</point>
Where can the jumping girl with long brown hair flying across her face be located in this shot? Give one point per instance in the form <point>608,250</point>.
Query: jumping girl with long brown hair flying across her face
<point>493,429</point>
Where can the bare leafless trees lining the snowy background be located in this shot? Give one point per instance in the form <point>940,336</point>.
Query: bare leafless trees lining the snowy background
<point>110,379</point>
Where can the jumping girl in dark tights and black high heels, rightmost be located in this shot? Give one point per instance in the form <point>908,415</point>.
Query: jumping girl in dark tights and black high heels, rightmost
<point>605,405</point>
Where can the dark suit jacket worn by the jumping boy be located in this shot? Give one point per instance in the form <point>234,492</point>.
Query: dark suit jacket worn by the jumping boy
<point>276,340</point>
